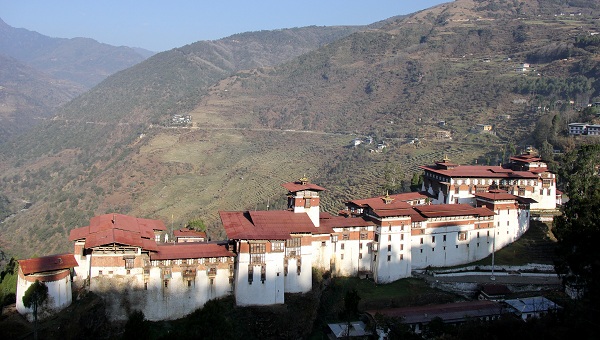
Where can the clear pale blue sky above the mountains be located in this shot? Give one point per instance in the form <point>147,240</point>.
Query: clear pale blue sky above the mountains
<point>162,25</point>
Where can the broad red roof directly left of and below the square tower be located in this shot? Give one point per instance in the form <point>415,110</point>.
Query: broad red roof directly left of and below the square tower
<point>265,225</point>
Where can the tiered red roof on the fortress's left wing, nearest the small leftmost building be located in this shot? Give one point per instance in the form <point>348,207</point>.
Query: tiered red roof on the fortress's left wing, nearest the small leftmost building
<point>120,229</point>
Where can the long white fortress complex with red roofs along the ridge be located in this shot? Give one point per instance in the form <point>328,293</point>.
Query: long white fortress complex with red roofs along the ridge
<point>463,214</point>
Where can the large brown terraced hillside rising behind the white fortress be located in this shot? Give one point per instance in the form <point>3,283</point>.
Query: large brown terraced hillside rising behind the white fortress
<point>447,68</point>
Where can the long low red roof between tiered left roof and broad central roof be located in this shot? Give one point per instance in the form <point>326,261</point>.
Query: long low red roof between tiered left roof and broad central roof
<point>190,250</point>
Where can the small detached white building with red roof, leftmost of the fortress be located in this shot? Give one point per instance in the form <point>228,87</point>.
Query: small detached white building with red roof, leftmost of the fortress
<point>54,271</point>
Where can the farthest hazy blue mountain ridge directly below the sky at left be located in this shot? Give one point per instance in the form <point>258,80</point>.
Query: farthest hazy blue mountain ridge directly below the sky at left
<point>80,60</point>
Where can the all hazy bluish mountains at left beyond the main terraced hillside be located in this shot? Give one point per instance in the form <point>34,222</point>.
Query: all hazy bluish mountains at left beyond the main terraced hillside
<point>39,73</point>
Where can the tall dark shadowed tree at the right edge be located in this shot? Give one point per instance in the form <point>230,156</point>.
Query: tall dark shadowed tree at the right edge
<point>578,228</point>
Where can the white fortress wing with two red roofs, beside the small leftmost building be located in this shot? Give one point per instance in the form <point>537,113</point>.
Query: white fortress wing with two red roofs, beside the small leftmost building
<point>119,259</point>
